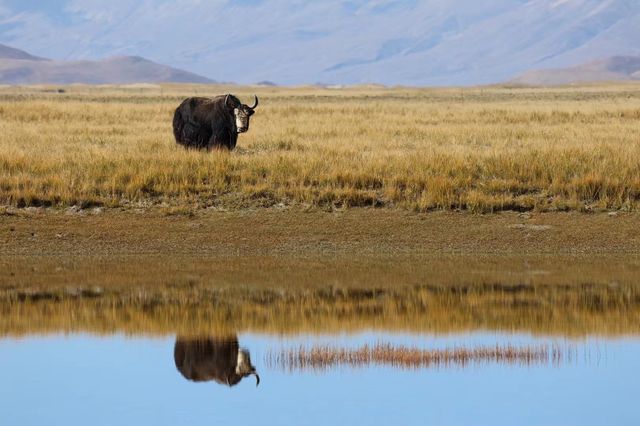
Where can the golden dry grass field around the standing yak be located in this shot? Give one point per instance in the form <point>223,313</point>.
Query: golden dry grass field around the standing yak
<point>483,149</point>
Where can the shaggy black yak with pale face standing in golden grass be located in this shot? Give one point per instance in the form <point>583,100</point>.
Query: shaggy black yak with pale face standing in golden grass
<point>211,123</point>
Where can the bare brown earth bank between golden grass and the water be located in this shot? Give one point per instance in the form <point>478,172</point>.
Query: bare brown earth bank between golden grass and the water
<point>302,233</point>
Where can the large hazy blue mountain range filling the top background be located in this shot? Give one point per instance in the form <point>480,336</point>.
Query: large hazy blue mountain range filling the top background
<point>404,42</point>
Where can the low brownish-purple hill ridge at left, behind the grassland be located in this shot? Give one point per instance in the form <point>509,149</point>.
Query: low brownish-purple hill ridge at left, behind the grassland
<point>20,67</point>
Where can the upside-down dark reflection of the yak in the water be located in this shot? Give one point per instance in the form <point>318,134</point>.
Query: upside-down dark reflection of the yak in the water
<point>213,358</point>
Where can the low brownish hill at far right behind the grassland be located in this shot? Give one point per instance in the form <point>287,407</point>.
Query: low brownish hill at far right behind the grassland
<point>615,68</point>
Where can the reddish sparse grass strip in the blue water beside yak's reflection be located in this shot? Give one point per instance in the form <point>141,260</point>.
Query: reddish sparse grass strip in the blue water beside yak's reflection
<point>326,357</point>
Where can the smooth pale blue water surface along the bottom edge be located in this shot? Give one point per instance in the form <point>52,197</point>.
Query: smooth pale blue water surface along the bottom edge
<point>117,380</point>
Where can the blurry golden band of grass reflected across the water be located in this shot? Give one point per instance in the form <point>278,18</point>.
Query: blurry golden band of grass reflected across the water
<point>552,309</point>
